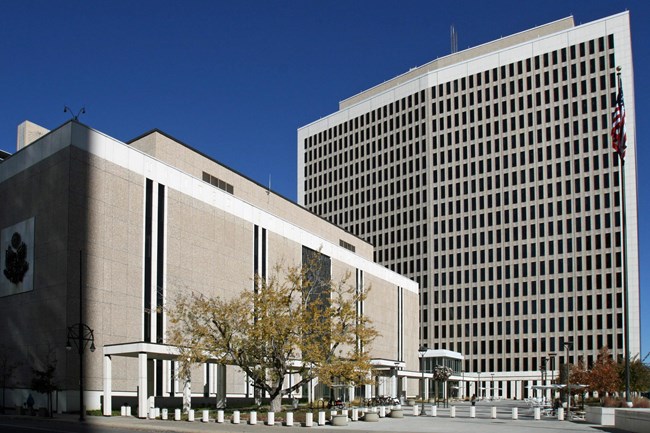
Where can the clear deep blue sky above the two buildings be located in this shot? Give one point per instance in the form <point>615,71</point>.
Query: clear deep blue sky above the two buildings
<point>236,79</point>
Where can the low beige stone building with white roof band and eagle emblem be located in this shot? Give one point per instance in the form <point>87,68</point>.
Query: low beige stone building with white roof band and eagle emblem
<point>97,235</point>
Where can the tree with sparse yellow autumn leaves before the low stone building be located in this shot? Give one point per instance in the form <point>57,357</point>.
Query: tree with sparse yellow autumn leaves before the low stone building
<point>293,322</point>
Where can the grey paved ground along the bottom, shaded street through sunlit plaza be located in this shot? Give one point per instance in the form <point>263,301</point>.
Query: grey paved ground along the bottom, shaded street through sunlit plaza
<point>440,424</point>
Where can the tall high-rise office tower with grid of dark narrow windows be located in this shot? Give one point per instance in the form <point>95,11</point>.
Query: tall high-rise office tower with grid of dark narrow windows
<point>489,177</point>
